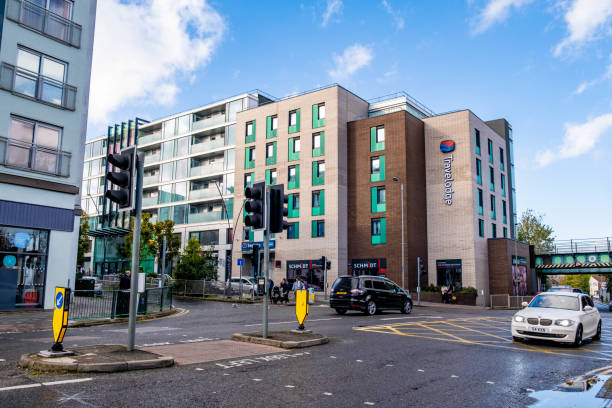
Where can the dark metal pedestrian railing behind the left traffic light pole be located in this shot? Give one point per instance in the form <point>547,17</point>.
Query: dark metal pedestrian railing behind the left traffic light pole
<point>110,304</point>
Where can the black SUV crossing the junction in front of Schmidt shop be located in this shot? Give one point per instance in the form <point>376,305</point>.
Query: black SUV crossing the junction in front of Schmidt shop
<point>368,294</point>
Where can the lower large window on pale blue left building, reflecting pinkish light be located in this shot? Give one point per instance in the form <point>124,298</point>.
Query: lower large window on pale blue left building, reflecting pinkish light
<point>36,146</point>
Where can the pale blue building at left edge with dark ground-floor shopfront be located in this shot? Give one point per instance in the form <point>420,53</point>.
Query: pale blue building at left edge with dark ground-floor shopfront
<point>45,55</point>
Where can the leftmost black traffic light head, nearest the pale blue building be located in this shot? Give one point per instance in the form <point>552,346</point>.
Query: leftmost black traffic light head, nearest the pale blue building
<point>121,188</point>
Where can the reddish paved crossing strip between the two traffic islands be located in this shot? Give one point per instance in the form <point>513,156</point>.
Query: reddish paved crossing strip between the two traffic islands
<point>206,351</point>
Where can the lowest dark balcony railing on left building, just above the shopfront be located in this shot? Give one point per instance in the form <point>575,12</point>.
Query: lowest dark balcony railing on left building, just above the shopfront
<point>18,154</point>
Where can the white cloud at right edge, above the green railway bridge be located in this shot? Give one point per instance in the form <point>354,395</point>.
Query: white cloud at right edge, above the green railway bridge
<point>578,140</point>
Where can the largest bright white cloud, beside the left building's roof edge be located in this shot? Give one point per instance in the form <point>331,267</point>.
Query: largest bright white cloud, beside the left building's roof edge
<point>142,48</point>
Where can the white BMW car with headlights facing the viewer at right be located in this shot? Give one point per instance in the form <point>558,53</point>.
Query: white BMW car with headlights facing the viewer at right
<point>564,317</point>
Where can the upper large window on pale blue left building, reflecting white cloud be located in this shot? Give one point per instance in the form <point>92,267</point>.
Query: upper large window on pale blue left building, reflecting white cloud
<point>41,77</point>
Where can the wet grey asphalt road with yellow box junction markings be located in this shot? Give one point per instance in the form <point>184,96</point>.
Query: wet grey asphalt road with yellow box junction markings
<point>434,357</point>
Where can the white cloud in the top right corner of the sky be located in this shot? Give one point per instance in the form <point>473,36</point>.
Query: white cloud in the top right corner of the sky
<point>585,19</point>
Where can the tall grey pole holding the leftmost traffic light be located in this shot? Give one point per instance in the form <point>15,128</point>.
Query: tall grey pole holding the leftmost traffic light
<point>135,253</point>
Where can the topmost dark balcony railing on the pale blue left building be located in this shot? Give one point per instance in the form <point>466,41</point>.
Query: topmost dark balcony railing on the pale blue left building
<point>44,21</point>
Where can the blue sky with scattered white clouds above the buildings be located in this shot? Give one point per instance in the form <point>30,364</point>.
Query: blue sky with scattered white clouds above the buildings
<point>544,65</point>
